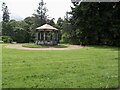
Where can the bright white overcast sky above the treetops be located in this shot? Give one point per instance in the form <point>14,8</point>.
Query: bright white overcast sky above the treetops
<point>20,9</point>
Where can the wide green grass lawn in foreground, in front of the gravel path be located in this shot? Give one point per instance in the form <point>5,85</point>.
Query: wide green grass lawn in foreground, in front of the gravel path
<point>90,67</point>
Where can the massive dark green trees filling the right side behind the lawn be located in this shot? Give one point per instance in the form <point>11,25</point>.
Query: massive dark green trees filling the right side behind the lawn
<point>94,24</point>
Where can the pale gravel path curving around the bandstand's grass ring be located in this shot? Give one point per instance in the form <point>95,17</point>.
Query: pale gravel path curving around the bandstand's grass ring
<point>19,46</point>
